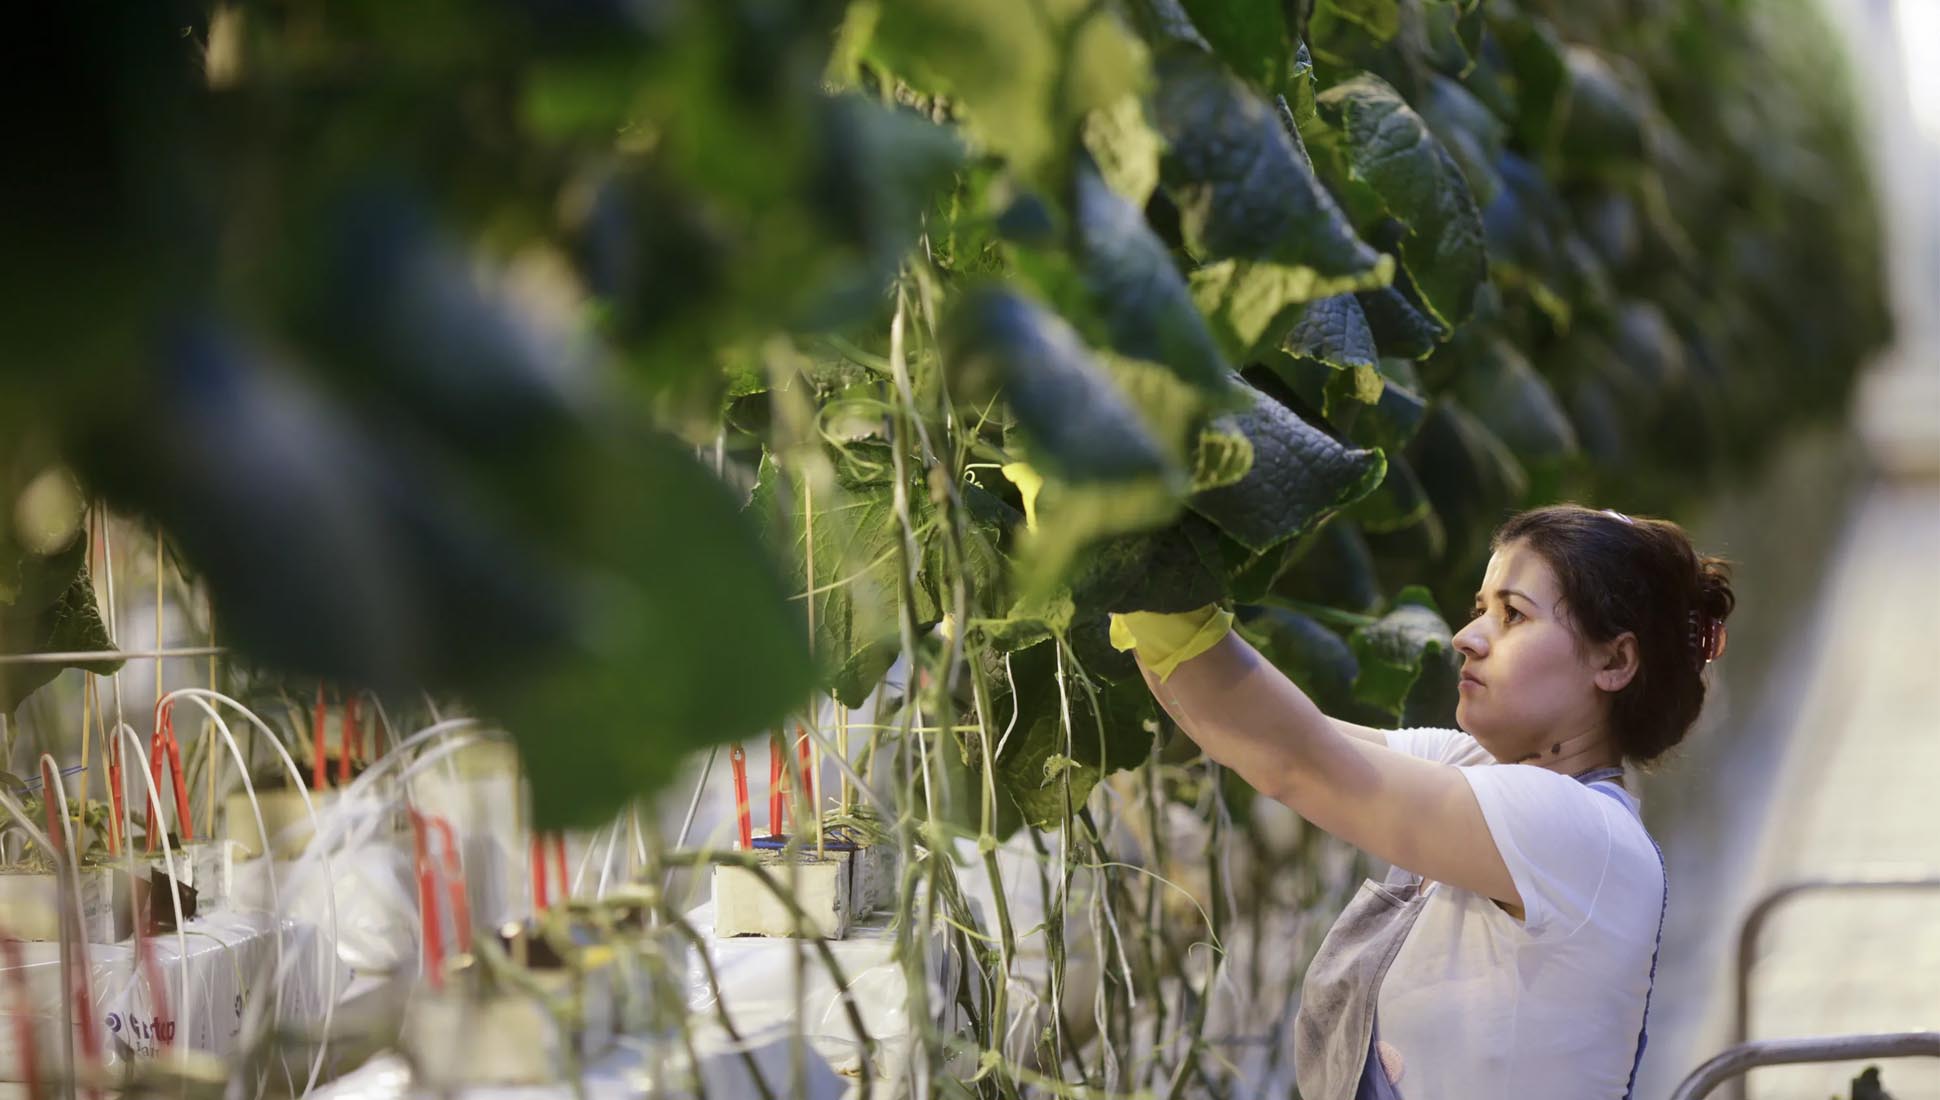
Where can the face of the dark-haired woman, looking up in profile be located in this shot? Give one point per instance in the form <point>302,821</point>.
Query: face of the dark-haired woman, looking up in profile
<point>1526,686</point>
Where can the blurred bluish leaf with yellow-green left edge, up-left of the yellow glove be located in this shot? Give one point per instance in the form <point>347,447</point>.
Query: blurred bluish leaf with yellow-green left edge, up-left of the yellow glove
<point>1078,422</point>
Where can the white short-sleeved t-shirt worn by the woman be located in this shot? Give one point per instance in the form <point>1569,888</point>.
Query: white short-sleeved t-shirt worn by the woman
<point>1485,1006</point>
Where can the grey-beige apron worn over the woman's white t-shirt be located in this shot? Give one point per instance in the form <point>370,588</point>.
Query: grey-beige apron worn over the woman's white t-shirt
<point>1338,1051</point>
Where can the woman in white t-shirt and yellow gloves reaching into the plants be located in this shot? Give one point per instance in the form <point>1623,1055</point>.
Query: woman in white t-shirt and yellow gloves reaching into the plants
<point>1512,950</point>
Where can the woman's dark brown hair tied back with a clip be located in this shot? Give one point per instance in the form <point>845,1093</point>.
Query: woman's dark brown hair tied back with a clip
<point>1642,575</point>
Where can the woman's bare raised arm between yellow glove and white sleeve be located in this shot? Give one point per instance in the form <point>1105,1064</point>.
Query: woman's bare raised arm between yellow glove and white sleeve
<point>1415,814</point>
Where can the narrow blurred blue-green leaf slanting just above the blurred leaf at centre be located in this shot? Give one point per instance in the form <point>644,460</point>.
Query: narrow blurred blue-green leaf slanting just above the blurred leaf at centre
<point>1138,290</point>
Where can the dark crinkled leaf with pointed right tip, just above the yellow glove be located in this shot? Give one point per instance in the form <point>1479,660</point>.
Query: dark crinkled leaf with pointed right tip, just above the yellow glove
<point>1299,478</point>
